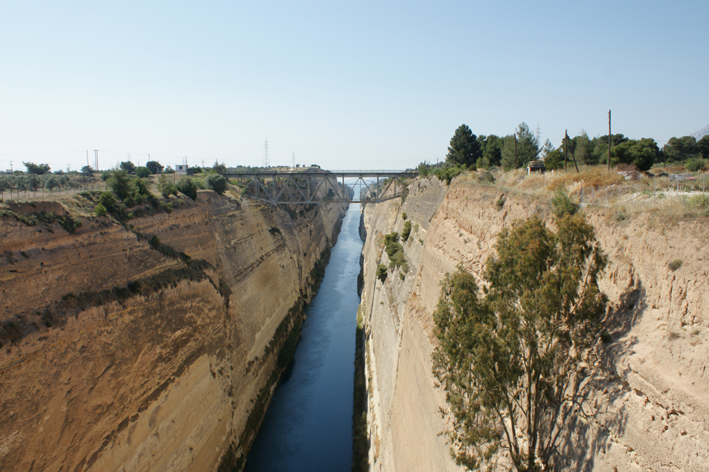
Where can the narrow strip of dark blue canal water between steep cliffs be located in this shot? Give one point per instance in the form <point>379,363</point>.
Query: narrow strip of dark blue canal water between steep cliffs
<point>308,426</point>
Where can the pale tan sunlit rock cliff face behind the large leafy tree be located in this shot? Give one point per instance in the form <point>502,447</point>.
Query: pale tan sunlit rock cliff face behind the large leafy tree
<point>652,401</point>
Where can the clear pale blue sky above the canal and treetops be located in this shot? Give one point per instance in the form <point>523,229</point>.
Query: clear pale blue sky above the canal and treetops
<point>346,85</point>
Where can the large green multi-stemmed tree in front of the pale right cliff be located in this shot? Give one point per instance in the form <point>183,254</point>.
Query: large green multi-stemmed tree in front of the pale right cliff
<point>510,362</point>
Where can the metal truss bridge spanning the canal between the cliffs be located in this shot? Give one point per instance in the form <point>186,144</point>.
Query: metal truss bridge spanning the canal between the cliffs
<point>316,186</point>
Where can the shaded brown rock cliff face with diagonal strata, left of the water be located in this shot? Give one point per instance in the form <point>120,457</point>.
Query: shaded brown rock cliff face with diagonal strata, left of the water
<point>153,347</point>
